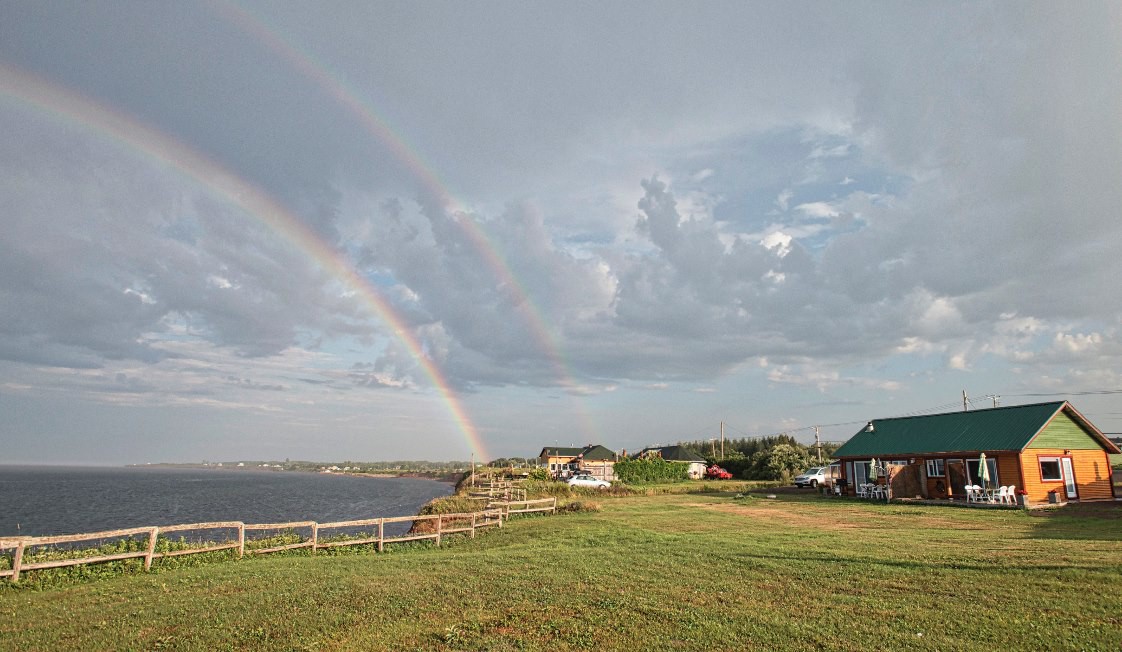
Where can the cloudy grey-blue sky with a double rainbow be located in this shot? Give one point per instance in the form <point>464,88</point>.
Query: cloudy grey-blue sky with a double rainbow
<point>429,231</point>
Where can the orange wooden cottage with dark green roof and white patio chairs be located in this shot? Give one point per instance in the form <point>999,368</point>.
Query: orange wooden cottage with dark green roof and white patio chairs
<point>1040,448</point>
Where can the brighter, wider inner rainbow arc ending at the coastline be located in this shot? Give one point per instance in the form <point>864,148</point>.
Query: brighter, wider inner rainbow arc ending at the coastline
<point>77,109</point>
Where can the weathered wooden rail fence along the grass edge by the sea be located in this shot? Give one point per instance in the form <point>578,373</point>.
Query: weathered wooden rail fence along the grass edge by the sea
<point>434,527</point>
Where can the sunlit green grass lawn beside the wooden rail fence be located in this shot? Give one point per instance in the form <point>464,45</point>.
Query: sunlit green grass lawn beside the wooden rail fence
<point>697,572</point>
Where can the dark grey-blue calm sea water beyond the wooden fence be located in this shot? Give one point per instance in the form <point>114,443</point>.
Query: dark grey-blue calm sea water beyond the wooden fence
<point>42,501</point>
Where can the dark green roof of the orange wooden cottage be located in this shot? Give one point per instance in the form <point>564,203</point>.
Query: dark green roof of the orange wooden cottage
<point>979,430</point>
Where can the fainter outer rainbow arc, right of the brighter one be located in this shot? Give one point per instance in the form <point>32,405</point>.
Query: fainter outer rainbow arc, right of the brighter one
<point>379,127</point>
